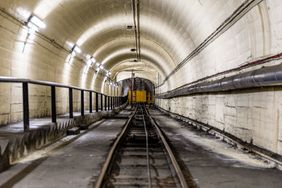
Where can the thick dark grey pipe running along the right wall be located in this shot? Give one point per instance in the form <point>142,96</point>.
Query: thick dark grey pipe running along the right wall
<point>264,77</point>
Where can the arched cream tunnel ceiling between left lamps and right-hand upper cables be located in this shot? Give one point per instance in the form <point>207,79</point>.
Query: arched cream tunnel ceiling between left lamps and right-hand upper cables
<point>169,30</point>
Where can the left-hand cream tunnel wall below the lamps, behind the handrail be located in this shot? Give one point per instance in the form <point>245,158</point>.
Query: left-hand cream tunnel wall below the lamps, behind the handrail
<point>40,61</point>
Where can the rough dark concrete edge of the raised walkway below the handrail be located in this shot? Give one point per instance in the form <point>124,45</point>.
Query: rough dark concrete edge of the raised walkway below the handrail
<point>14,146</point>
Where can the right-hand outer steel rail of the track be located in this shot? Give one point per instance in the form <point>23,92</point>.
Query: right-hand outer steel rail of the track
<point>170,153</point>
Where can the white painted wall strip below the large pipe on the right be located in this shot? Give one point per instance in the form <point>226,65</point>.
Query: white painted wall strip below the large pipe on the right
<point>250,116</point>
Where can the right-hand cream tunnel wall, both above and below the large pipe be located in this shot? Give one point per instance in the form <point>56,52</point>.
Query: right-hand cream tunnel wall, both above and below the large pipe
<point>252,115</point>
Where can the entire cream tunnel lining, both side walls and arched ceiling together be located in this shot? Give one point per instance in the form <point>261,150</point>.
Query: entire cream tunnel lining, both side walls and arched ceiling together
<point>252,115</point>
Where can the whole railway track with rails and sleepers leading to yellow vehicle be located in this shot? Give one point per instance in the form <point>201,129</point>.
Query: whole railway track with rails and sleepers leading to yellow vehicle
<point>141,157</point>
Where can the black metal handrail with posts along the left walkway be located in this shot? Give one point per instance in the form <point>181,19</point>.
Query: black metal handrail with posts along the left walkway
<point>109,101</point>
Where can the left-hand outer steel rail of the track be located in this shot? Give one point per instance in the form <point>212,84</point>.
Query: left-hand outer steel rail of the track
<point>112,152</point>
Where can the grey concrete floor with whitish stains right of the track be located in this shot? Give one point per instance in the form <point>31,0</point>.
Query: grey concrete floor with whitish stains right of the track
<point>213,163</point>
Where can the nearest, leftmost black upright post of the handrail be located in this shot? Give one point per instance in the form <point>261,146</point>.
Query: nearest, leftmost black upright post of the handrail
<point>25,106</point>
